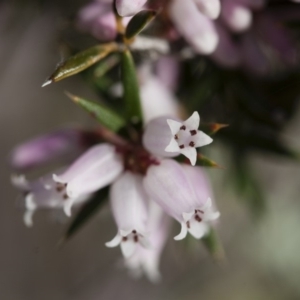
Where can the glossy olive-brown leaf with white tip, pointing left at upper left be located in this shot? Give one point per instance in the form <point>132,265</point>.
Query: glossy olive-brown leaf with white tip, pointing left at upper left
<point>81,61</point>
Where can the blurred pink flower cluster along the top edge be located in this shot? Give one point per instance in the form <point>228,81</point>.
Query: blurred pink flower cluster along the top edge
<point>234,33</point>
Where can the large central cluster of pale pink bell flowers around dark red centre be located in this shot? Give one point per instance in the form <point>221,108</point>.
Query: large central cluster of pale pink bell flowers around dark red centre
<point>145,184</point>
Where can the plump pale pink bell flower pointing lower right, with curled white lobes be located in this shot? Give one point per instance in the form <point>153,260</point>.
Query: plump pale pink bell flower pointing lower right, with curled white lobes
<point>182,203</point>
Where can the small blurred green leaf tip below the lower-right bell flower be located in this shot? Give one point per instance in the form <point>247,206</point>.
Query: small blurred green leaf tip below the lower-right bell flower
<point>214,245</point>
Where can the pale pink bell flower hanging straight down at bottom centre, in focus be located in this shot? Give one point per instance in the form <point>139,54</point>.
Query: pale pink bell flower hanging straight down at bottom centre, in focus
<point>128,203</point>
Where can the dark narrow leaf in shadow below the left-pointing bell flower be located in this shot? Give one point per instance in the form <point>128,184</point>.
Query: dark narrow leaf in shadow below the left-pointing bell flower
<point>86,212</point>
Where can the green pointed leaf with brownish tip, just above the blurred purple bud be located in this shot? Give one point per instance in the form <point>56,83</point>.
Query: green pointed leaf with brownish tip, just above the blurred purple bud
<point>101,113</point>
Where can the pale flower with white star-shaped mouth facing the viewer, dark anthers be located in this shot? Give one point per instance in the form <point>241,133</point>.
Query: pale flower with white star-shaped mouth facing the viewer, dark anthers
<point>168,138</point>
